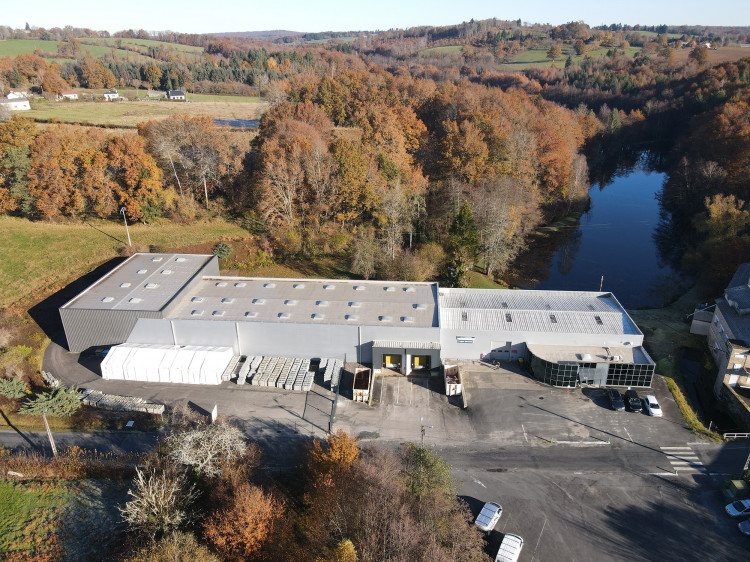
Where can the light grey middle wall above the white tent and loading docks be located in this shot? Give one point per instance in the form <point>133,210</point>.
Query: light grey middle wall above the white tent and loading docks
<point>276,338</point>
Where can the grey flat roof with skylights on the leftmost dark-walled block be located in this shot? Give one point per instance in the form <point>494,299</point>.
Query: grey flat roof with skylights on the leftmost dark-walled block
<point>144,282</point>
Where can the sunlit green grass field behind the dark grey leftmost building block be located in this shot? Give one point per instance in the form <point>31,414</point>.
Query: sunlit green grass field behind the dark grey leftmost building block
<point>38,256</point>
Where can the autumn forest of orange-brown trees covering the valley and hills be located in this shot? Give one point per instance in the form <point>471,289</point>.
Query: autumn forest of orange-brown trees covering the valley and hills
<point>416,164</point>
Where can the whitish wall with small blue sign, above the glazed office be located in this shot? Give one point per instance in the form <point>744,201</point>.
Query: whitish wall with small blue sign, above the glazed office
<point>485,341</point>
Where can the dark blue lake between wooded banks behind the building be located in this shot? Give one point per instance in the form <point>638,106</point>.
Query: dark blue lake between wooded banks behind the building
<point>614,240</point>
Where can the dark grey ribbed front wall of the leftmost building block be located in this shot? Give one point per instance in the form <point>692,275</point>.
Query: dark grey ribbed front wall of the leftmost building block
<point>88,328</point>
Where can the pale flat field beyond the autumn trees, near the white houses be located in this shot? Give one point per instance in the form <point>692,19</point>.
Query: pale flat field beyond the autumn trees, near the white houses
<point>130,113</point>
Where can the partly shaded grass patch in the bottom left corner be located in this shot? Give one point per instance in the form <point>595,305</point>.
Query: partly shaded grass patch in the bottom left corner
<point>57,519</point>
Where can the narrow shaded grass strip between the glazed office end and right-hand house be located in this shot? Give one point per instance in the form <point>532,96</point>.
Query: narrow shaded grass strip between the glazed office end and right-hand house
<point>666,334</point>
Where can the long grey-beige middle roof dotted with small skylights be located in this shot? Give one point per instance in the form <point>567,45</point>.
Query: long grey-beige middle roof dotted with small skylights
<point>323,301</point>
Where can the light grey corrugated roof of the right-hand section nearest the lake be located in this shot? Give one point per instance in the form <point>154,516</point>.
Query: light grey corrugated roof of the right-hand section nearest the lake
<point>569,312</point>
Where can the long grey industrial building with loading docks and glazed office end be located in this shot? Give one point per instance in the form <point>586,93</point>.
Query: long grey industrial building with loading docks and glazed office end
<point>168,305</point>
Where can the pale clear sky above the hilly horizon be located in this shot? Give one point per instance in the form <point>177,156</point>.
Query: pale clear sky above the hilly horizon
<point>194,16</point>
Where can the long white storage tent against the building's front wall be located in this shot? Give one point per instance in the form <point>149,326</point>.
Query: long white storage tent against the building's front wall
<point>163,363</point>
